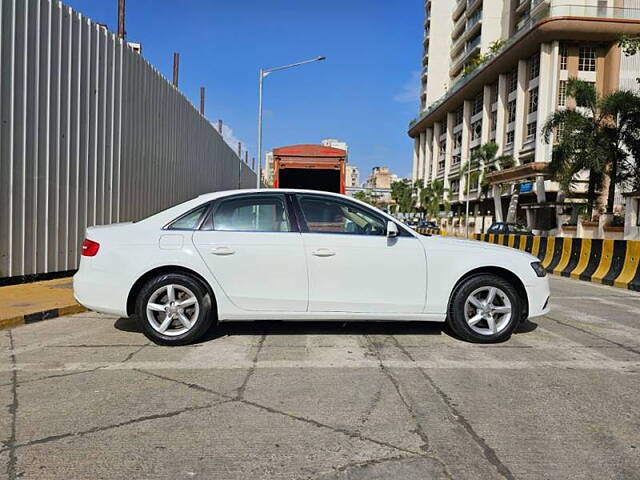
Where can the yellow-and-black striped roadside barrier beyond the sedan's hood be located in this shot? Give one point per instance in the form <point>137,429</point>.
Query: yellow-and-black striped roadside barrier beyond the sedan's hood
<point>610,262</point>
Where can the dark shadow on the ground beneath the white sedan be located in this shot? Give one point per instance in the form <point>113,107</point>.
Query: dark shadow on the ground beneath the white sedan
<point>274,327</point>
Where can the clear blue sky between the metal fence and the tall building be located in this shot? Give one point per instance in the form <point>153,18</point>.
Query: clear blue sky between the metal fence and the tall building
<point>365,93</point>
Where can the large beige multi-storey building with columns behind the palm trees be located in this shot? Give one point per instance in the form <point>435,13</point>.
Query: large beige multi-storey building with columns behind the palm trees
<point>508,97</point>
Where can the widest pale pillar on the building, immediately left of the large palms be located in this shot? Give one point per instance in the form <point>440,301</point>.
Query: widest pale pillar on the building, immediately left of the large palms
<point>547,93</point>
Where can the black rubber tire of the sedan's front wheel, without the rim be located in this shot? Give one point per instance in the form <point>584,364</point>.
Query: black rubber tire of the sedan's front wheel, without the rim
<point>456,317</point>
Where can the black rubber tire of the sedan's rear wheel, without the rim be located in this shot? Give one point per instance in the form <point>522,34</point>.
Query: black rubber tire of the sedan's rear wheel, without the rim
<point>204,319</point>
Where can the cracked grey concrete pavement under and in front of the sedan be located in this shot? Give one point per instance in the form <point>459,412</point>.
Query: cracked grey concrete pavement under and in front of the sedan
<point>87,396</point>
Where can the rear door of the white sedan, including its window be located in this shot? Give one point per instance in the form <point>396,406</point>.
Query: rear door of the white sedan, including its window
<point>255,253</point>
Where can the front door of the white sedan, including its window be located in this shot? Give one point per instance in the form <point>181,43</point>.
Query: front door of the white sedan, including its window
<point>353,266</point>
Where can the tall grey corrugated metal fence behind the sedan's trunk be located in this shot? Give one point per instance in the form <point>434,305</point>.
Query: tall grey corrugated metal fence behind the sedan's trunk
<point>90,134</point>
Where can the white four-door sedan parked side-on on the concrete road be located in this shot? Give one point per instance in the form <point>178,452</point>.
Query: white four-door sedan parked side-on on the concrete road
<point>300,255</point>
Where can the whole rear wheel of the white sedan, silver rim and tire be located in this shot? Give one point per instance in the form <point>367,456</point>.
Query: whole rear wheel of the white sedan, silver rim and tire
<point>174,309</point>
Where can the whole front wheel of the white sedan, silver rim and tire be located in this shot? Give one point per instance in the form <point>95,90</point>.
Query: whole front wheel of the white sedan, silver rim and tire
<point>485,309</point>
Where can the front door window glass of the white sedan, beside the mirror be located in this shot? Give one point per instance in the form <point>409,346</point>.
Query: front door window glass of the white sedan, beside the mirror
<point>329,216</point>
